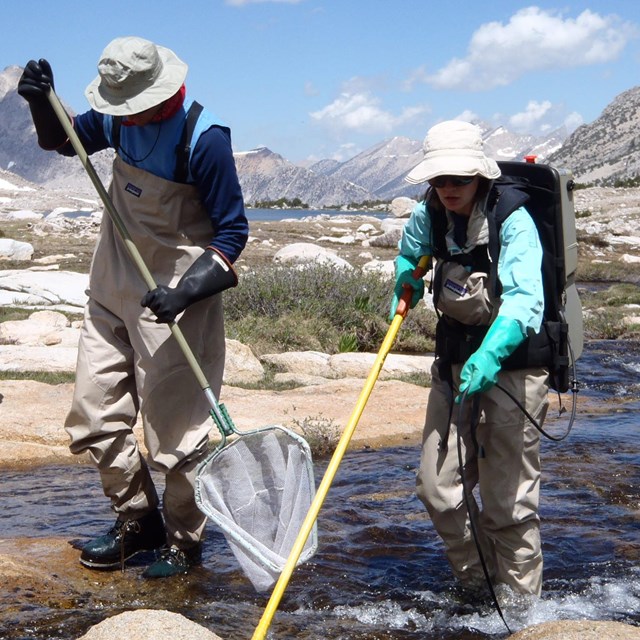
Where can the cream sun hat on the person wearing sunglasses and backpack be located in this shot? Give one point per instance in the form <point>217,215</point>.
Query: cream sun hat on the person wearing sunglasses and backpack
<point>453,148</point>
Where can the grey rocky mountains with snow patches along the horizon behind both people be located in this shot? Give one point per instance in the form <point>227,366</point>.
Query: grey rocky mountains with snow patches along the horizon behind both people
<point>601,152</point>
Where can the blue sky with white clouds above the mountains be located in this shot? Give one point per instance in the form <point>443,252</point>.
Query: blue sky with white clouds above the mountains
<point>313,79</point>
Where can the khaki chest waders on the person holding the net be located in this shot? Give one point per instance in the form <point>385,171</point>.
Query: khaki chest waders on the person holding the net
<point>129,366</point>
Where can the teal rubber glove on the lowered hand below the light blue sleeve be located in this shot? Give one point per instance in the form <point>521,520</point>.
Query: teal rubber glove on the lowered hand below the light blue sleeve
<point>480,371</point>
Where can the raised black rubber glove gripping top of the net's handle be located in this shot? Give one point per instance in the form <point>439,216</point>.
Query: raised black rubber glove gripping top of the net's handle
<point>35,83</point>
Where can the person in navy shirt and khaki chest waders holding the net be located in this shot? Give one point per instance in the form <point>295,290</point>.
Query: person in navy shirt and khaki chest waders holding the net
<point>175,186</point>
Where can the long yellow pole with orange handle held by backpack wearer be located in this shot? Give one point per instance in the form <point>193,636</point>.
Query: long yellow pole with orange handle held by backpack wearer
<point>278,591</point>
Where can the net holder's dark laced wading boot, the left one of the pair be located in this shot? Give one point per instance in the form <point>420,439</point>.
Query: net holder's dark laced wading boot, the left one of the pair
<point>124,540</point>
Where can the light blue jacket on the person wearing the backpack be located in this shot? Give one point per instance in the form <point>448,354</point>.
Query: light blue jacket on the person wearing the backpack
<point>519,264</point>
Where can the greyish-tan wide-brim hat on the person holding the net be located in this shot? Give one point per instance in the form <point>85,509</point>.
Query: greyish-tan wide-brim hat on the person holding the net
<point>134,74</point>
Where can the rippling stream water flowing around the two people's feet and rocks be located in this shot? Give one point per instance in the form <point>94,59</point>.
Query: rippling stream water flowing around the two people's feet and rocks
<point>380,572</point>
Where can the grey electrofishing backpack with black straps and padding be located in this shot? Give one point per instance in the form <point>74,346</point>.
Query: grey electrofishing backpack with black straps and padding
<point>547,194</point>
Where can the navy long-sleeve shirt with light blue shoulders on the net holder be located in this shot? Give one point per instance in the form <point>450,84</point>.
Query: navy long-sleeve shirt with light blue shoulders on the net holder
<point>212,168</point>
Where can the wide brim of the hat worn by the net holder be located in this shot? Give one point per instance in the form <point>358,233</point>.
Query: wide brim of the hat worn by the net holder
<point>174,73</point>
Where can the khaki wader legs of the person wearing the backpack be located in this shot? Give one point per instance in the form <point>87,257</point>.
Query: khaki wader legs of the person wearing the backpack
<point>504,462</point>
